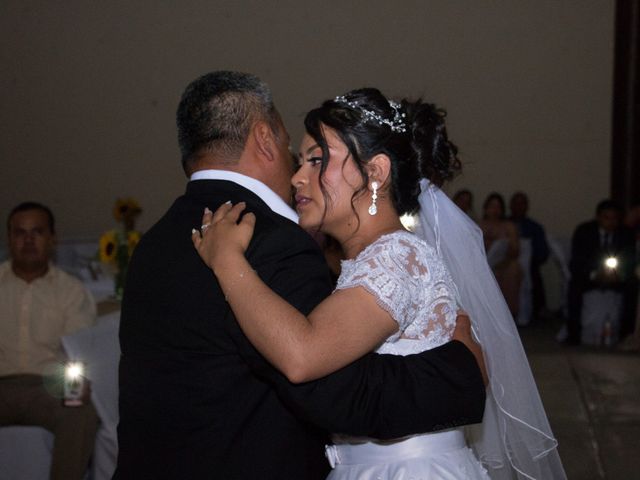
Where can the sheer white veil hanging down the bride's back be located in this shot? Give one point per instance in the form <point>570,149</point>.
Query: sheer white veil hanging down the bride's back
<point>514,440</point>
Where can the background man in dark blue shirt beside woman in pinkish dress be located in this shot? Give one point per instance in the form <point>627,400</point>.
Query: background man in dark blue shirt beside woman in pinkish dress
<point>533,231</point>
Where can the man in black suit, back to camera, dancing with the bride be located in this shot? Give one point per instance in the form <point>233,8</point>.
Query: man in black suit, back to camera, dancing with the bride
<point>196,399</point>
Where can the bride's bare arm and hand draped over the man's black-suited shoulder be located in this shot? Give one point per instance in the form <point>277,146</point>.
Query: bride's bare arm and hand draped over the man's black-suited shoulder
<point>344,327</point>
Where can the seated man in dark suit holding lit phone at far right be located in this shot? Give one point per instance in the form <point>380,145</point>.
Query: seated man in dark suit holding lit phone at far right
<point>602,257</point>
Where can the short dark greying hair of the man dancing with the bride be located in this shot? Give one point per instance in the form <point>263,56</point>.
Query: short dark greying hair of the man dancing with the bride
<point>216,113</point>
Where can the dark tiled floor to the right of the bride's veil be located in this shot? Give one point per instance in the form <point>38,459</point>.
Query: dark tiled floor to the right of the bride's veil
<point>592,400</point>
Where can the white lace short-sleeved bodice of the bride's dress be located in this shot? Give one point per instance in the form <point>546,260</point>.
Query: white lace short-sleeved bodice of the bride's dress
<point>410,282</point>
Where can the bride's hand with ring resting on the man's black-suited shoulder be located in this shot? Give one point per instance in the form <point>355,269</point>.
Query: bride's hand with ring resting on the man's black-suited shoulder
<point>221,236</point>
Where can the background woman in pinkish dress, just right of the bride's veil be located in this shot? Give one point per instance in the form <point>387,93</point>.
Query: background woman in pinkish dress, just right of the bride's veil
<point>503,248</point>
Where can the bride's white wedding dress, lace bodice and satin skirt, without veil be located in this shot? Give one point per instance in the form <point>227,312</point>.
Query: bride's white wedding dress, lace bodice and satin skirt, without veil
<point>410,282</point>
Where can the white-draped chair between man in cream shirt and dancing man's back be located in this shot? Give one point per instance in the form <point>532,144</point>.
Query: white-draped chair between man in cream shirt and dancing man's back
<point>98,347</point>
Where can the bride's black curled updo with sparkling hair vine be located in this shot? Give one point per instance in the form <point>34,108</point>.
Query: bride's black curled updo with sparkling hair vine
<point>411,134</point>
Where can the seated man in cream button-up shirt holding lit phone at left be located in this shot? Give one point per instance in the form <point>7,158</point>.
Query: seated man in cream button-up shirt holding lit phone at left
<point>39,304</point>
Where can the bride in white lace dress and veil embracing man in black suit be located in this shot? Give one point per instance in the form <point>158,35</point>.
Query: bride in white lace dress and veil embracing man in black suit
<point>360,166</point>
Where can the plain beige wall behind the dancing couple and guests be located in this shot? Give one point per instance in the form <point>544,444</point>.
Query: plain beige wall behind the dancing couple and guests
<point>89,90</point>
